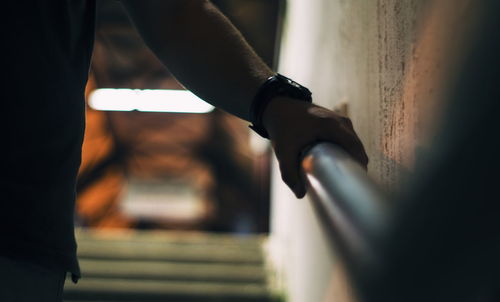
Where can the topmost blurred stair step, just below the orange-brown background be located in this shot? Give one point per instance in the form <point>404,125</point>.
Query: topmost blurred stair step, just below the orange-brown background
<point>169,246</point>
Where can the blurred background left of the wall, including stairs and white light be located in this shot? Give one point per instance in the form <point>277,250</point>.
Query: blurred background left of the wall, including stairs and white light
<point>173,195</point>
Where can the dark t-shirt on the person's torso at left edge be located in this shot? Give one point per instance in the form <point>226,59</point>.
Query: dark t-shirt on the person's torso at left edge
<point>47,47</point>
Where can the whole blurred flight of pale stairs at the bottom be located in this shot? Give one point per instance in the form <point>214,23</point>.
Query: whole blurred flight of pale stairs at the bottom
<point>144,266</point>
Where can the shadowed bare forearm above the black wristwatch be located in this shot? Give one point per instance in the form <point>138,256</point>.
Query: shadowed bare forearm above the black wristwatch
<point>203,50</point>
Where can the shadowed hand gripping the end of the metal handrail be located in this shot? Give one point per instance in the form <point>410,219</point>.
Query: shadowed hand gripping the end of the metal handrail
<point>293,125</point>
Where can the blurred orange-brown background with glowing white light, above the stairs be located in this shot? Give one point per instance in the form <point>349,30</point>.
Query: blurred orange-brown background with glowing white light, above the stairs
<point>162,169</point>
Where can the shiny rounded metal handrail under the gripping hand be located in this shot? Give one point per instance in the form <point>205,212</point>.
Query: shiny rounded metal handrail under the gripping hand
<point>351,207</point>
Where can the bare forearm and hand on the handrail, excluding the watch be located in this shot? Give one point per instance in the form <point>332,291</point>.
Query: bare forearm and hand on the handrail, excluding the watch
<point>209,56</point>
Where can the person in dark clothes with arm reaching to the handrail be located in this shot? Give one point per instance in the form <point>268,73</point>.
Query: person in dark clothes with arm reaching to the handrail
<point>47,48</point>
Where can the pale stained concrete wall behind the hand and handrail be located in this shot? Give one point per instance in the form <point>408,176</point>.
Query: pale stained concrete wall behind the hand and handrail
<point>385,62</point>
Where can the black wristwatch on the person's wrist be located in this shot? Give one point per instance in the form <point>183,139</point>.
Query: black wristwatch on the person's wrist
<point>277,85</point>
